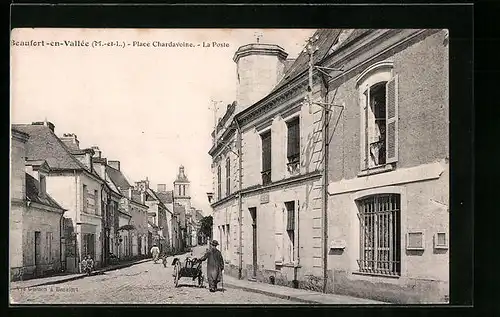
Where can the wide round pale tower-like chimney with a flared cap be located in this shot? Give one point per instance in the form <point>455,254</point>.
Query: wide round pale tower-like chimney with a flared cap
<point>268,60</point>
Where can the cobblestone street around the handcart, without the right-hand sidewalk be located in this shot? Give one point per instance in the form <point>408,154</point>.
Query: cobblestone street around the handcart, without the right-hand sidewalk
<point>145,283</point>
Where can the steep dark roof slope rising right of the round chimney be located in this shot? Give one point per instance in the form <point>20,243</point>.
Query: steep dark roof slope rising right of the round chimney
<point>327,38</point>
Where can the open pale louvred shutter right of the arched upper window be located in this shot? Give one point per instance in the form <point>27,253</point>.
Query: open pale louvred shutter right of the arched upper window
<point>392,120</point>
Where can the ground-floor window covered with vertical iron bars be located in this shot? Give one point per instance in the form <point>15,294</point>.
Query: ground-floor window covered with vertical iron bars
<point>380,232</point>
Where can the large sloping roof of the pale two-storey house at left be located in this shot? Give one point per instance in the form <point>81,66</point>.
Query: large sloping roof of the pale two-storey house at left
<point>43,144</point>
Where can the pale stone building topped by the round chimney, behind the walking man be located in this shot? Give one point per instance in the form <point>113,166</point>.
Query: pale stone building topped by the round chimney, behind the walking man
<point>266,157</point>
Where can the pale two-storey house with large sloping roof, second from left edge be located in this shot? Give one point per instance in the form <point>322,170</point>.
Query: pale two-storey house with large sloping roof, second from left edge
<point>75,184</point>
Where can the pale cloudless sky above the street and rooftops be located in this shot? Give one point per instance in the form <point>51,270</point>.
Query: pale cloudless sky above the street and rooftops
<point>147,107</point>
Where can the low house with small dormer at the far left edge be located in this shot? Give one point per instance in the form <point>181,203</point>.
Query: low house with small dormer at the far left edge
<point>36,218</point>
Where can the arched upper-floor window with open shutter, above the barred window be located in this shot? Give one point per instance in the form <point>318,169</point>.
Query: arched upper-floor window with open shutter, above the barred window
<point>378,90</point>
